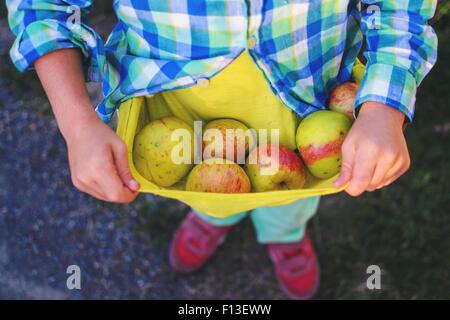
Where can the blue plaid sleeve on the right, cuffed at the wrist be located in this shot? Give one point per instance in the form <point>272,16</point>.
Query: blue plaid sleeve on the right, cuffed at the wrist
<point>401,48</point>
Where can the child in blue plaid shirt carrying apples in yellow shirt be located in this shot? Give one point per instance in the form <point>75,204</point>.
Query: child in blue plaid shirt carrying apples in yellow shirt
<point>282,55</point>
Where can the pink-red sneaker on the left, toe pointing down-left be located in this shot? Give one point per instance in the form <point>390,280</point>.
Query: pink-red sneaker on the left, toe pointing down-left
<point>194,243</point>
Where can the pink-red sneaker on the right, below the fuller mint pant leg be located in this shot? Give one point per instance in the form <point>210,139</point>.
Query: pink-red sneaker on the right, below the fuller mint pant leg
<point>296,268</point>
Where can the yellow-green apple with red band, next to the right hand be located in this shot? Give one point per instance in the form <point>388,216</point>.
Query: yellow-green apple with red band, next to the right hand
<point>319,139</point>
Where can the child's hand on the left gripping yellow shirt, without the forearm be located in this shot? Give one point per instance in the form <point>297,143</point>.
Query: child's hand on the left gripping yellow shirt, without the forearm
<point>99,162</point>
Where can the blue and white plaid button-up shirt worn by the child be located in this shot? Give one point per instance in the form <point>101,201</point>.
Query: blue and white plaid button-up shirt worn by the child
<point>304,48</point>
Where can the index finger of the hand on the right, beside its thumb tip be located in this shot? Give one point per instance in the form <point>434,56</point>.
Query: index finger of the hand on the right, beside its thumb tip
<point>362,173</point>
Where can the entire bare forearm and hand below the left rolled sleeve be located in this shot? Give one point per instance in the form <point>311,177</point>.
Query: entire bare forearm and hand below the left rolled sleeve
<point>98,158</point>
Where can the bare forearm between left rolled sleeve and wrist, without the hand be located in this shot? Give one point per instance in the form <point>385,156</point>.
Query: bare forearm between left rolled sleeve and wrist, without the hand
<point>61,75</point>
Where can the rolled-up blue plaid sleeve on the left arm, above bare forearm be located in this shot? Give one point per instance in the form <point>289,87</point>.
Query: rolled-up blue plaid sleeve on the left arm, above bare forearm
<point>42,26</point>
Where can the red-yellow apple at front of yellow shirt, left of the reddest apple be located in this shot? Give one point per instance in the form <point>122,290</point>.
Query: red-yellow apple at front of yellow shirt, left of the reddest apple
<point>218,175</point>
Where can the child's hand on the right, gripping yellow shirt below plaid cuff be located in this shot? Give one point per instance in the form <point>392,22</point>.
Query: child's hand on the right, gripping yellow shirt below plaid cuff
<point>374,152</point>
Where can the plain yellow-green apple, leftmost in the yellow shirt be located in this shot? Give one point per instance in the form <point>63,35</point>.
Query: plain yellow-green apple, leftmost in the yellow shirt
<point>154,151</point>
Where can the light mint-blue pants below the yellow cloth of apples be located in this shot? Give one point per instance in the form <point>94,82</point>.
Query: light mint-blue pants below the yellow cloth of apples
<point>286,223</point>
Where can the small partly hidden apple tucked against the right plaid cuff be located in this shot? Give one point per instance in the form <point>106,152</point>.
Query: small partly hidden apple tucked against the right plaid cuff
<point>342,99</point>
